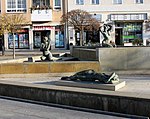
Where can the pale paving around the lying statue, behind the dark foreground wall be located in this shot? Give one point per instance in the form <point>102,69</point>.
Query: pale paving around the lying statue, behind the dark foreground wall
<point>134,83</point>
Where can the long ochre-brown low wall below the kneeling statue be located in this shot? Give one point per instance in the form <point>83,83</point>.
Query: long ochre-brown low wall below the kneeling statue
<point>48,67</point>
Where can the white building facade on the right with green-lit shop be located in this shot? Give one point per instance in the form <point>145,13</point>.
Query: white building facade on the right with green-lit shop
<point>128,18</point>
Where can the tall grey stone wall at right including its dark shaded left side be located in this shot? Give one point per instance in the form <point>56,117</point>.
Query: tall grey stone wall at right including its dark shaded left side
<point>123,58</point>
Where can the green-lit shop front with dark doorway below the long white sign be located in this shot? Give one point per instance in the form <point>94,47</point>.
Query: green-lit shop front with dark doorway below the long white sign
<point>127,32</point>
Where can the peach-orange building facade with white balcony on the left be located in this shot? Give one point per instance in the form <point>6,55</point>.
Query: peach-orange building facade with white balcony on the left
<point>44,20</point>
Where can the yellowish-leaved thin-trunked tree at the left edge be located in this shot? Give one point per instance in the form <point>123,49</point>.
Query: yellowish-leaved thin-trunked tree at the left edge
<point>11,23</point>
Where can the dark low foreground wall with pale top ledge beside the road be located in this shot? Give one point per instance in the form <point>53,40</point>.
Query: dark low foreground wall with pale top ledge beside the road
<point>127,103</point>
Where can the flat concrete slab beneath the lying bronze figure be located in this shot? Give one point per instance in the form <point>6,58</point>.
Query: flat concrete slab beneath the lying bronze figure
<point>95,85</point>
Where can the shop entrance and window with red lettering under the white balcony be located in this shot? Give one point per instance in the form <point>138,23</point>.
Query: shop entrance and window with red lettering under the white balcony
<point>54,33</point>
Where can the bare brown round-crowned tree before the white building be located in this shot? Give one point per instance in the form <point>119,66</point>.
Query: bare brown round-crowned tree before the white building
<point>80,20</point>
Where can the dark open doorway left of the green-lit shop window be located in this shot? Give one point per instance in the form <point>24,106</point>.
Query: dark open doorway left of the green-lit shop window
<point>118,36</point>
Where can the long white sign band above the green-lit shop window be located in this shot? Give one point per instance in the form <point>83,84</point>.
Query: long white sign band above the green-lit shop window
<point>115,17</point>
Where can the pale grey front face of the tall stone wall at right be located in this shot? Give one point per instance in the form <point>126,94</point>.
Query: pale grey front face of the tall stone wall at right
<point>126,58</point>
